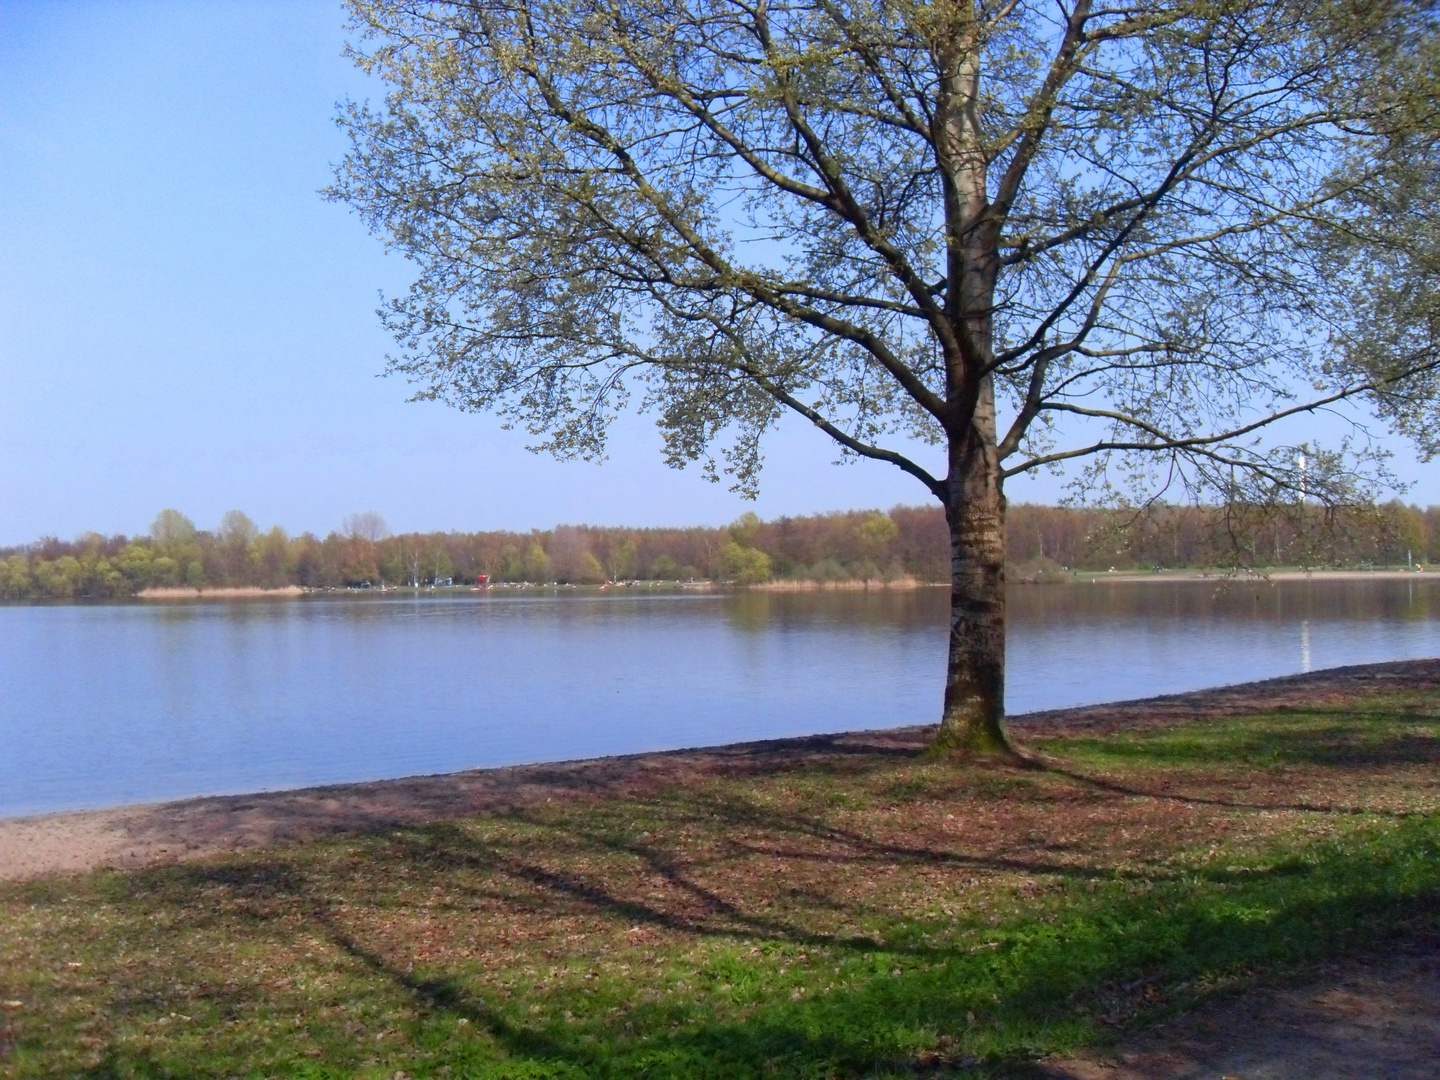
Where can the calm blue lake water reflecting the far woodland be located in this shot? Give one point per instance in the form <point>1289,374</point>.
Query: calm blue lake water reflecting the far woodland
<point>125,703</point>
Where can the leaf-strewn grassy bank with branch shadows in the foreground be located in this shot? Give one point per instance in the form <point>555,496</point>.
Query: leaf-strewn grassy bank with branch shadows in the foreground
<point>865,915</point>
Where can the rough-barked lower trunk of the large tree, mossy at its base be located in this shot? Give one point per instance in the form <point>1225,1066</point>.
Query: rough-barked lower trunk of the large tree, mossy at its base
<point>976,673</point>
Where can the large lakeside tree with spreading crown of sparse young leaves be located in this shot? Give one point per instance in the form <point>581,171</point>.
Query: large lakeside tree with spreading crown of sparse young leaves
<point>1164,231</point>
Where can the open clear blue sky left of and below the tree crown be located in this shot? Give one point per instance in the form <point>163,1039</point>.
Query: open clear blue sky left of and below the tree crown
<point>185,322</point>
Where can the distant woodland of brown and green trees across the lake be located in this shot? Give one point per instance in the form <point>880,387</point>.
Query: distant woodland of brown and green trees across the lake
<point>905,544</point>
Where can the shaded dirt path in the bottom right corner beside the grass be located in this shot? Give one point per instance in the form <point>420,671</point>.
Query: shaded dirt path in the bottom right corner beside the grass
<point>1366,1019</point>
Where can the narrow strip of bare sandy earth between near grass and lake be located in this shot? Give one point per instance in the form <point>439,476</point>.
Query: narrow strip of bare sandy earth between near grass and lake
<point>163,833</point>
